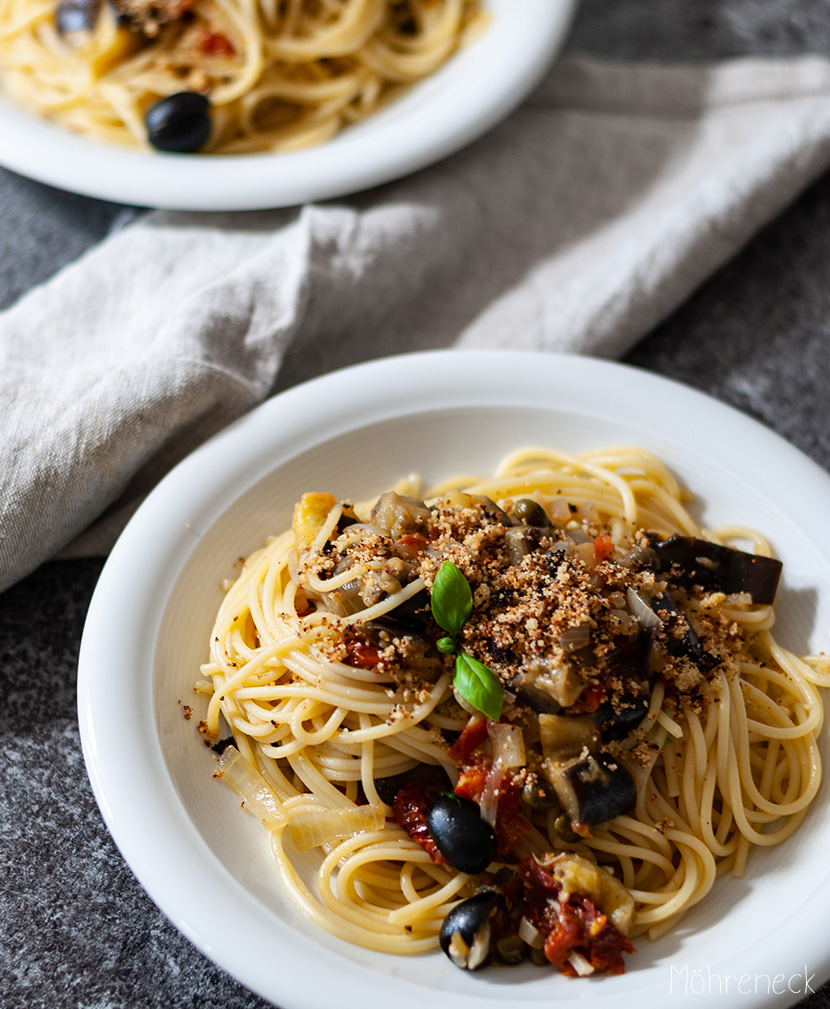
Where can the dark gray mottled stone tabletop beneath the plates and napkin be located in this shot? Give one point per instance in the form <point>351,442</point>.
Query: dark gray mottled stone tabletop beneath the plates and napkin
<point>76,930</point>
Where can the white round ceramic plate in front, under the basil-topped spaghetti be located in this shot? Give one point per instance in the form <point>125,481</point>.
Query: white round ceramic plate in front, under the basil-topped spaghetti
<point>353,433</point>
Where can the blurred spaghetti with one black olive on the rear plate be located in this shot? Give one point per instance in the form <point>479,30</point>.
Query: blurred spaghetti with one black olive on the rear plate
<point>261,75</point>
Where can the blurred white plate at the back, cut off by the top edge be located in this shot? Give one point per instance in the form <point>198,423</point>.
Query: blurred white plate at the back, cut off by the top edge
<point>443,114</point>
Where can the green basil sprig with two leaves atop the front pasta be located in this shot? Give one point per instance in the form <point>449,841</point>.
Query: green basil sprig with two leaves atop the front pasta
<point>452,604</point>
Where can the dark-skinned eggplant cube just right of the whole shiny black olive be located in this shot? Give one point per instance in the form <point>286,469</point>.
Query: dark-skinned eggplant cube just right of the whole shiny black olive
<point>594,790</point>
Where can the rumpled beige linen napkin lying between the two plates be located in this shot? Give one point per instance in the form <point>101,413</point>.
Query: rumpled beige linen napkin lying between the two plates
<point>576,226</point>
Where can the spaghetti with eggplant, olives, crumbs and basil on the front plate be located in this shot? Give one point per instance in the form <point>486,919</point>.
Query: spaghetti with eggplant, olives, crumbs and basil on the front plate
<point>534,718</point>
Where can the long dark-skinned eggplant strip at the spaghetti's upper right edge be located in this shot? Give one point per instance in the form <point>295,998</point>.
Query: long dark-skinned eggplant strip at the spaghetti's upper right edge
<point>691,562</point>
